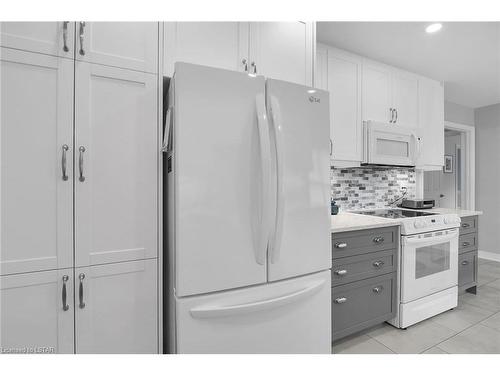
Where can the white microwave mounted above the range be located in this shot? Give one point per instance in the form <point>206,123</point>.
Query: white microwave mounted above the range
<point>386,144</point>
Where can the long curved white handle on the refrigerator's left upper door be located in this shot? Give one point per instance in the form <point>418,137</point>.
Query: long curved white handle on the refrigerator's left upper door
<point>265,159</point>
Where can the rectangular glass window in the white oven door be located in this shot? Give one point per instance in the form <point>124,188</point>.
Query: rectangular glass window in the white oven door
<point>432,259</point>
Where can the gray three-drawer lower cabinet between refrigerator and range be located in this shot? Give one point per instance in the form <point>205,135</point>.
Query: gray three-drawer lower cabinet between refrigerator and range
<point>364,268</point>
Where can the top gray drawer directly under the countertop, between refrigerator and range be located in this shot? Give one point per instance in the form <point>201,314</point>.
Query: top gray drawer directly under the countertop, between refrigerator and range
<point>362,242</point>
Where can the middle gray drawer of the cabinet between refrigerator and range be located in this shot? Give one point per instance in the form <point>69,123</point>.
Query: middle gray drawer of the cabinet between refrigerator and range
<point>361,267</point>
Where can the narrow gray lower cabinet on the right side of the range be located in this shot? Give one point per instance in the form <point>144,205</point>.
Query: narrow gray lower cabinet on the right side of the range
<point>467,258</point>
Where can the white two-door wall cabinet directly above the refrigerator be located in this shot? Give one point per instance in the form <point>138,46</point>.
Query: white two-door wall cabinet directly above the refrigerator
<point>281,50</point>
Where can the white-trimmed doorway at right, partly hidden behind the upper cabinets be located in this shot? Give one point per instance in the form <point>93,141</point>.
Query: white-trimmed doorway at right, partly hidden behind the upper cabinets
<point>453,186</point>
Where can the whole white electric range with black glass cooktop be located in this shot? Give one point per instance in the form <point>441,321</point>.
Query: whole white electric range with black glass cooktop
<point>428,263</point>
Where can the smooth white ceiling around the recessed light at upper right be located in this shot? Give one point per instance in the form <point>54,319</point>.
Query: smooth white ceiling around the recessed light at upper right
<point>465,55</point>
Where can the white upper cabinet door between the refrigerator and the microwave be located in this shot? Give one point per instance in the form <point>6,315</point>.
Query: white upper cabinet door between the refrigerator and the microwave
<point>344,85</point>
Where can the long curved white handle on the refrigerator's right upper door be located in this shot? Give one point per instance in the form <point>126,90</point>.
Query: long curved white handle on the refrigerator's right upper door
<point>280,197</point>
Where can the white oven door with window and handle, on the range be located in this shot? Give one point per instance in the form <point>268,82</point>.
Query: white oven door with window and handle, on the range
<point>429,263</point>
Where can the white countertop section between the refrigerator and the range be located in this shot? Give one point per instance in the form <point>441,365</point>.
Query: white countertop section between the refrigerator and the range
<point>348,221</point>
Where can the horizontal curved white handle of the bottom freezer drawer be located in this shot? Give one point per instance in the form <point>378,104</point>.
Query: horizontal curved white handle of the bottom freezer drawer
<point>211,311</point>
